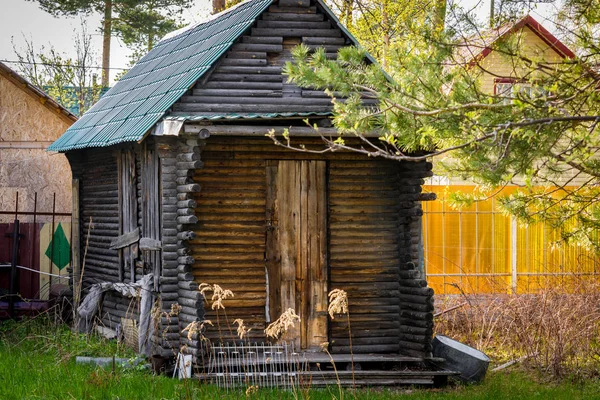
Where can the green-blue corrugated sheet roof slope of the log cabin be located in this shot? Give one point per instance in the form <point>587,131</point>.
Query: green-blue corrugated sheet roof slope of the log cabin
<point>136,102</point>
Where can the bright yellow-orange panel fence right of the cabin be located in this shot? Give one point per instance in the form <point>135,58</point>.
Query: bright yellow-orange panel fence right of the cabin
<point>480,250</point>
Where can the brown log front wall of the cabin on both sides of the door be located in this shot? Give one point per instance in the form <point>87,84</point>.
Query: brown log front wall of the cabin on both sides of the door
<point>372,208</point>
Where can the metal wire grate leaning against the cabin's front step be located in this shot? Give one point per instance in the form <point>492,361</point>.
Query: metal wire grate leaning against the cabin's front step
<point>262,365</point>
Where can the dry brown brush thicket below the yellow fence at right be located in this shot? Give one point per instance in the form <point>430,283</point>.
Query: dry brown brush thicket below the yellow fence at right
<point>558,331</point>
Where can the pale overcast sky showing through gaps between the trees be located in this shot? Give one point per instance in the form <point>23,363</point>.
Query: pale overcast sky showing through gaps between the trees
<point>20,18</point>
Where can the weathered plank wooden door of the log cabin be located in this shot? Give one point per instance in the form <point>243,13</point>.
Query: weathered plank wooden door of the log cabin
<point>296,248</point>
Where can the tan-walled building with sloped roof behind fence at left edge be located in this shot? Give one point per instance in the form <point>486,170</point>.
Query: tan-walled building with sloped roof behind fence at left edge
<point>30,121</point>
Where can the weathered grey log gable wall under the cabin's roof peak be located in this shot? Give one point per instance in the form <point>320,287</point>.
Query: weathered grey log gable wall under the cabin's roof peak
<point>248,79</point>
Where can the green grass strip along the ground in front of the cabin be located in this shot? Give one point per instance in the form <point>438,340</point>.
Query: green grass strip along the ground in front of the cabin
<point>37,362</point>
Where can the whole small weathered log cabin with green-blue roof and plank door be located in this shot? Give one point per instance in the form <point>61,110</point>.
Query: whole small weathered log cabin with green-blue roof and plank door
<point>174,176</point>
